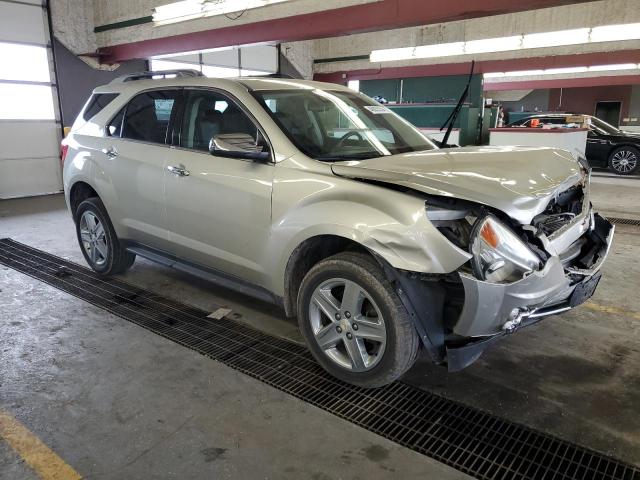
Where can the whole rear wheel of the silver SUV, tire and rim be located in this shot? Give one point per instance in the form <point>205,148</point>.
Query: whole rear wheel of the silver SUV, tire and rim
<point>98,240</point>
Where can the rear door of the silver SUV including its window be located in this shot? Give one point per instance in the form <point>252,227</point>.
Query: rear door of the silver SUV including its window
<point>135,154</point>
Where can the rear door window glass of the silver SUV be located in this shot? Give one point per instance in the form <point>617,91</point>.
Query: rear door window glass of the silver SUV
<point>147,116</point>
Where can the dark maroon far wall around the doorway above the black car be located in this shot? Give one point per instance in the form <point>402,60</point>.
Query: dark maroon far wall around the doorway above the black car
<point>584,99</point>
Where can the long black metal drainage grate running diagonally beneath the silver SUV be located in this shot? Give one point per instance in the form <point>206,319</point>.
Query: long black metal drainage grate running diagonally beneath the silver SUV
<point>474,442</point>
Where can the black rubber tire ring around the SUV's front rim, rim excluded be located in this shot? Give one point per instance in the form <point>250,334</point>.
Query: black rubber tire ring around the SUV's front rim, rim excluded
<point>392,364</point>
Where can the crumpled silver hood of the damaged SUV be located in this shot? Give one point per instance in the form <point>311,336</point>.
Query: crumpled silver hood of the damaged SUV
<point>520,181</point>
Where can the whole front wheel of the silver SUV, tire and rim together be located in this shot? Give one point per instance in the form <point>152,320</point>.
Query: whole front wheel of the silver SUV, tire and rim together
<point>354,323</point>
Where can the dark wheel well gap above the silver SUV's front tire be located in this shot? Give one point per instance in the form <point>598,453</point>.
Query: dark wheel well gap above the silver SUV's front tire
<point>305,256</point>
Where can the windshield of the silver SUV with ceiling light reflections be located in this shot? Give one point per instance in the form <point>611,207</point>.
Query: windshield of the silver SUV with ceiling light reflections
<point>338,125</point>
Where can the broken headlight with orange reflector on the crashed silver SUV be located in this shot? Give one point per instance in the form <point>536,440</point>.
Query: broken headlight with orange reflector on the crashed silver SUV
<point>499,256</point>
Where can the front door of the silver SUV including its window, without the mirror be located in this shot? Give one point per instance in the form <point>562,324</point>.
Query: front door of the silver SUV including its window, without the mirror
<point>218,208</point>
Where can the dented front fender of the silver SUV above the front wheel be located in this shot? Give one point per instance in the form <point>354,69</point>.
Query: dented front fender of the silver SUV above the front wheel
<point>390,223</point>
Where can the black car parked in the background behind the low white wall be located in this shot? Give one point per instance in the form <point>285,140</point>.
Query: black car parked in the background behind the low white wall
<point>607,146</point>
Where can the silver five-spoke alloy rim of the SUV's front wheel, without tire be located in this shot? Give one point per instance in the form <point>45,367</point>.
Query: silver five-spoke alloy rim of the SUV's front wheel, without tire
<point>347,324</point>
